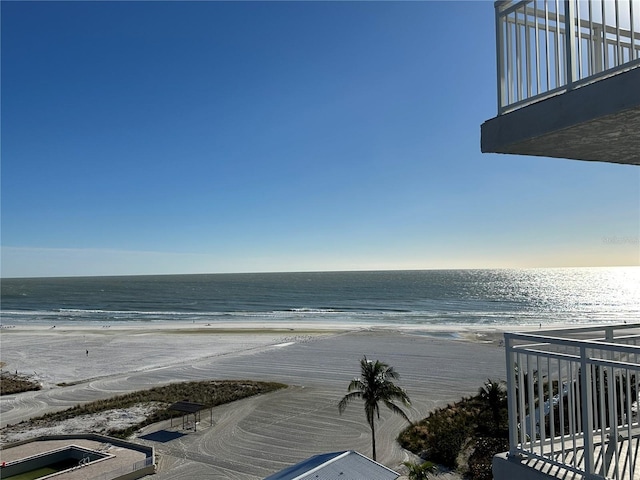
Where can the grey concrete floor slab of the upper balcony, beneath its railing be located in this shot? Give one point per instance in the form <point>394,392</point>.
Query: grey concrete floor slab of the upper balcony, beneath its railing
<point>596,122</point>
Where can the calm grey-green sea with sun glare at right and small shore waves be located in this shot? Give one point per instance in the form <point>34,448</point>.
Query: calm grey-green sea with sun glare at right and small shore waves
<point>470,297</point>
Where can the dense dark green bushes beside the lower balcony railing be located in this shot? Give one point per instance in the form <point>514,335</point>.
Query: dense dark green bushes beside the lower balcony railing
<point>466,435</point>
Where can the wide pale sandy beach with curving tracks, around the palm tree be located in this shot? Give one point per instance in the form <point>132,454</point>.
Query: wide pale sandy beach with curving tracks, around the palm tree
<point>255,437</point>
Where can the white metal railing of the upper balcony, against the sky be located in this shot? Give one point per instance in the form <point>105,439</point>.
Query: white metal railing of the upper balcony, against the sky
<point>546,47</point>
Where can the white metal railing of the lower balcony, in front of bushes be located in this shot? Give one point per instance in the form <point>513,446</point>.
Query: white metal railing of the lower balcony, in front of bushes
<point>573,399</point>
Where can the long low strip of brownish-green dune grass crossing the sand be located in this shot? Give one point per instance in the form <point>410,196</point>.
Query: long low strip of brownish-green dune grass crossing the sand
<point>209,393</point>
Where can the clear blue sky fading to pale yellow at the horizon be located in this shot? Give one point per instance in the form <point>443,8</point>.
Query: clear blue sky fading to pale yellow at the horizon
<point>205,137</point>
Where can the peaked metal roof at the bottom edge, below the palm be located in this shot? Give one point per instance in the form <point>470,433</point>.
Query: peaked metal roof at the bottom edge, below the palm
<point>334,466</point>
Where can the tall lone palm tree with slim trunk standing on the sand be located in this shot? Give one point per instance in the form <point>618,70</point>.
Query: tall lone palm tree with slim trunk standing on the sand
<point>375,386</point>
